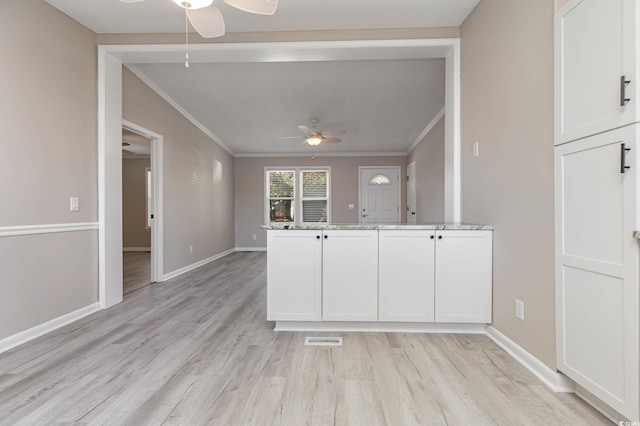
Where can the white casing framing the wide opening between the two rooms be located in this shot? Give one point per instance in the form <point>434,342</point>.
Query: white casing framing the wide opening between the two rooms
<point>112,57</point>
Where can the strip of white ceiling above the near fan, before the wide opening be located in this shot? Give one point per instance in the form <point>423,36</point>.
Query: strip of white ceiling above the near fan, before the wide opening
<point>163,16</point>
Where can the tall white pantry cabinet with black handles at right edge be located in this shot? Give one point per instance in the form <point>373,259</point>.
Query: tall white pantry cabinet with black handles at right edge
<point>596,199</point>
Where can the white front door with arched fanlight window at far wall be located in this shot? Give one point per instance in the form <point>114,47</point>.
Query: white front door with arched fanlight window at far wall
<point>380,194</point>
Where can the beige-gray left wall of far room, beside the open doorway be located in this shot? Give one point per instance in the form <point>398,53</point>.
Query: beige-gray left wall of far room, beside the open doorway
<point>198,178</point>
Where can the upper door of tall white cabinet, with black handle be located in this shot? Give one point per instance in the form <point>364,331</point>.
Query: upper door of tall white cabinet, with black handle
<point>596,44</point>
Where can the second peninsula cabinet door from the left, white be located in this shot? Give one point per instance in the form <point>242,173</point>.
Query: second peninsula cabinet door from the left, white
<point>350,276</point>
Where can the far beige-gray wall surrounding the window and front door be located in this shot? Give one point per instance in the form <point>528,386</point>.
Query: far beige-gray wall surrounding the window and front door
<point>249,190</point>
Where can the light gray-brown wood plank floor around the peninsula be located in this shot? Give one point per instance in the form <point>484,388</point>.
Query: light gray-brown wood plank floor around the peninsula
<point>197,350</point>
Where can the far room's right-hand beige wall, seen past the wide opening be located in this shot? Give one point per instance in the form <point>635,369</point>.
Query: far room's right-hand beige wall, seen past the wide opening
<point>429,158</point>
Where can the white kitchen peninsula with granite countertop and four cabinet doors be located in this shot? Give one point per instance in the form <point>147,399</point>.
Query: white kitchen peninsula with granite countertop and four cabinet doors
<point>387,277</point>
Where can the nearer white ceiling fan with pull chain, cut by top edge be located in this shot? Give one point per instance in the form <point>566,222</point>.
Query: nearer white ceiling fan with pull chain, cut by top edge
<point>206,18</point>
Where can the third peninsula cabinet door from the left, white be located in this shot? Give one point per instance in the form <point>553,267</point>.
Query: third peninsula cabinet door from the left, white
<point>406,268</point>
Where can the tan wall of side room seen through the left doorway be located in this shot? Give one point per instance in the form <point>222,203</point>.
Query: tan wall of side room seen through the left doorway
<point>134,203</point>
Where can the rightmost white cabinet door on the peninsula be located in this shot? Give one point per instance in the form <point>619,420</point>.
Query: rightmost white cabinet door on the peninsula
<point>463,276</point>
